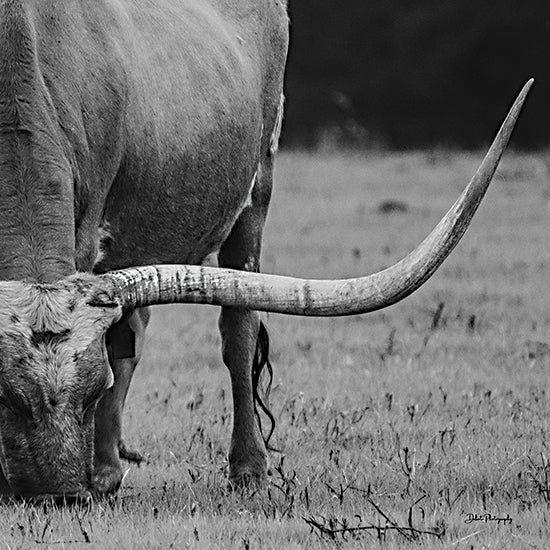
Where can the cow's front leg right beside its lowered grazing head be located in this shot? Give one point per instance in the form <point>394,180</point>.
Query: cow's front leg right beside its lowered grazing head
<point>125,346</point>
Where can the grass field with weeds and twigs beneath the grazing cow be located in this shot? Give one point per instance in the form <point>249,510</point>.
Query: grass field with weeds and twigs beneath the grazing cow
<point>394,428</point>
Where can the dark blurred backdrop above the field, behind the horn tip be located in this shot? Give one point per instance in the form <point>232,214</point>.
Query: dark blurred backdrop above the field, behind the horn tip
<point>415,73</point>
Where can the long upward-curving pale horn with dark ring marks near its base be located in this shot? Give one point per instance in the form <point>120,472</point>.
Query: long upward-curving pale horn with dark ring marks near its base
<point>167,284</point>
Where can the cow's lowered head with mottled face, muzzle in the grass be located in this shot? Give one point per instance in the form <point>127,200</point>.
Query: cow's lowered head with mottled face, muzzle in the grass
<point>53,371</point>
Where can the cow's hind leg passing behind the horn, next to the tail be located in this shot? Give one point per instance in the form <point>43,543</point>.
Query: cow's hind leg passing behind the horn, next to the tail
<point>245,343</point>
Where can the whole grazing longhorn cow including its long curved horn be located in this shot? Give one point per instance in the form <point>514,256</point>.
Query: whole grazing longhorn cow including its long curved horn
<point>136,133</point>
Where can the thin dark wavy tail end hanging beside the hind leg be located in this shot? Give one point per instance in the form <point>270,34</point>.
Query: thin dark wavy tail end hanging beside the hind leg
<point>262,378</point>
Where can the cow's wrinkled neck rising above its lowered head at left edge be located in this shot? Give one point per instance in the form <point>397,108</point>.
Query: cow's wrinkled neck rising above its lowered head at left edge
<point>36,184</point>
